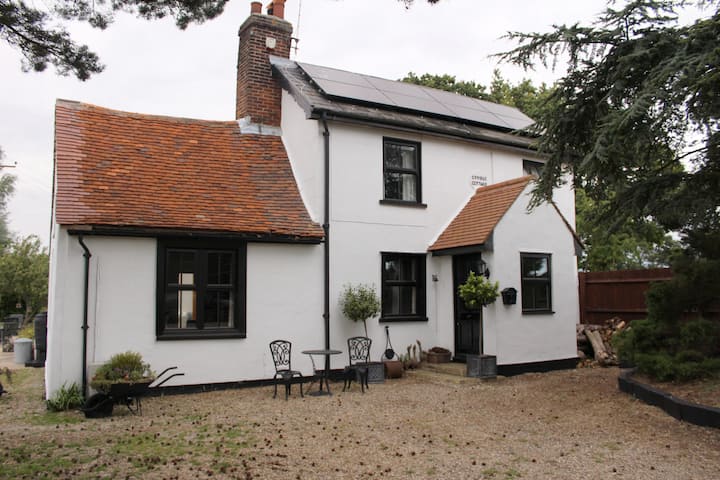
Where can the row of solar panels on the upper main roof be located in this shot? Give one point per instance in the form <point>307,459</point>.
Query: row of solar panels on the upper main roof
<point>407,96</point>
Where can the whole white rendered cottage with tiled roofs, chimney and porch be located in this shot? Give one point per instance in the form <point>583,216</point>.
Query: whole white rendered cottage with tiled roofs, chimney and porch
<point>196,243</point>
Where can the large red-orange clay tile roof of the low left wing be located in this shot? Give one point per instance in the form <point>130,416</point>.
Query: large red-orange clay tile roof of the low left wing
<point>118,169</point>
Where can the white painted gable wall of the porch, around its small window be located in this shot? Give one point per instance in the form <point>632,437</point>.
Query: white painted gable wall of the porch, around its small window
<point>518,338</point>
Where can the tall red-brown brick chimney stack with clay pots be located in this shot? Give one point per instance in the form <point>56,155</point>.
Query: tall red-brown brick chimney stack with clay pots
<point>258,93</point>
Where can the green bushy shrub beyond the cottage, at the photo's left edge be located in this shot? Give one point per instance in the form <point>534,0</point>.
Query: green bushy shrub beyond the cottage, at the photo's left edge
<point>24,267</point>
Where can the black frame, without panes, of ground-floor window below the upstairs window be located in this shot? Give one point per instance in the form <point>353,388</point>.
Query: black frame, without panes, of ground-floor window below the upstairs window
<point>420,282</point>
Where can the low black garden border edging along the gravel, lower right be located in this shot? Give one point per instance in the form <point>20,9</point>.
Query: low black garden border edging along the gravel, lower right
<point>680,409</point>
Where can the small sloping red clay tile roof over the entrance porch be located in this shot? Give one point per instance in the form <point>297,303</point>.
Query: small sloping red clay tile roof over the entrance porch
<point>473,225</point>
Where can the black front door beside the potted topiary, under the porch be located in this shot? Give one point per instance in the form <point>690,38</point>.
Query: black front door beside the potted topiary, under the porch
<point>468,322</point>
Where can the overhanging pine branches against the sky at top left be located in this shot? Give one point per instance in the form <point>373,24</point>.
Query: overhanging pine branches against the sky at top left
<point>36,34</point>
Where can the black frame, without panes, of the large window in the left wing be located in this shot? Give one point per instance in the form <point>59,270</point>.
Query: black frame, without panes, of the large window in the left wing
<point>238,287</point>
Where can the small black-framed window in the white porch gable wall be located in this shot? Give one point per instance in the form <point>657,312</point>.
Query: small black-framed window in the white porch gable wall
<point>536,282</point>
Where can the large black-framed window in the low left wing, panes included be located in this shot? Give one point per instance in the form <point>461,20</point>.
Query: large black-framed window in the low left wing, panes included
<point>201,289</point>
